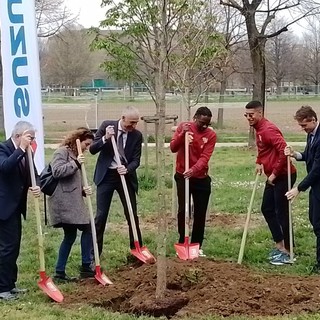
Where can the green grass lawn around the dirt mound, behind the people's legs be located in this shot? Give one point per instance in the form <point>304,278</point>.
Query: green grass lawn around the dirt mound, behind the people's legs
<point>232,172</point>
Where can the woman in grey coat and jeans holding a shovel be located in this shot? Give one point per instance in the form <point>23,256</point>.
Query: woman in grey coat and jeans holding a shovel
<point>67,209</point>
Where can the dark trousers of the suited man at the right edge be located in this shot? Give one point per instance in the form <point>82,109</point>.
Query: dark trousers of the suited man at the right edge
<point>314,217</point>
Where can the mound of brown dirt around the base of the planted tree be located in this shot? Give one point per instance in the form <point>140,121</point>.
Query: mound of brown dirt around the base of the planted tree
<point>201,287</point>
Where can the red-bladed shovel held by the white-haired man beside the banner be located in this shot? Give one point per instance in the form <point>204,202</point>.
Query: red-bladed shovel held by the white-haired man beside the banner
<point>45,283</point>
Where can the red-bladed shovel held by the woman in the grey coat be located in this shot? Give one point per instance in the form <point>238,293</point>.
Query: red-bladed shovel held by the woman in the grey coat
<point>100,276</point>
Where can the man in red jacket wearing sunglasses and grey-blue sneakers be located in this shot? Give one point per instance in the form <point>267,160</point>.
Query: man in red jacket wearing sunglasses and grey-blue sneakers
<point>273,163</point>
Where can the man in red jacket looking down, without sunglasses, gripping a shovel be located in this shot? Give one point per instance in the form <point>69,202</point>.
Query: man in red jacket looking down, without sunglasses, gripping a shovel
<point>202,141</point>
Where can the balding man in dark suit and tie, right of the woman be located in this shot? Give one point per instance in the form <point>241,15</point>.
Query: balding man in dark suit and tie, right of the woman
<point>107,173</point>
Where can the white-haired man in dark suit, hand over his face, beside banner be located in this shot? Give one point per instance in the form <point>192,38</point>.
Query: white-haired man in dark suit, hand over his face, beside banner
<point>14,185</point>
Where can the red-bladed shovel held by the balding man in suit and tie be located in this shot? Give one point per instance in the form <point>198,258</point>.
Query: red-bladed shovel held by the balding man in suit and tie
<point>141,253</point>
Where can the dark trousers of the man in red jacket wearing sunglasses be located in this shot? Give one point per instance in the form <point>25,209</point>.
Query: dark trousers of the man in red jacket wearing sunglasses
<point>275,208</point>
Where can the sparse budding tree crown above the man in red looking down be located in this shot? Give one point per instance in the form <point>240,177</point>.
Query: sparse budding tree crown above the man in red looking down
<point>191,67</point>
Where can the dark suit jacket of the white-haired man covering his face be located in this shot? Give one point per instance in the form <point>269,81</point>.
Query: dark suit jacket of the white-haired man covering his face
<point>14,180</point>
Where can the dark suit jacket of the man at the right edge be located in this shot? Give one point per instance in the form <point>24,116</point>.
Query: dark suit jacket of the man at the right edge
<point>311,155</point>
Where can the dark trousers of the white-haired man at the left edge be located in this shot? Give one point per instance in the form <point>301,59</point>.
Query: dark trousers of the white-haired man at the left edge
<point>10,239</point>
